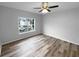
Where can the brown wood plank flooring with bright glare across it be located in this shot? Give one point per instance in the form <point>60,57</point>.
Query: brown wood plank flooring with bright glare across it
<point>40,46</point>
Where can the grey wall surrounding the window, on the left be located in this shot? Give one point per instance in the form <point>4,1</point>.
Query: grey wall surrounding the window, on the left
<point>9,24</point>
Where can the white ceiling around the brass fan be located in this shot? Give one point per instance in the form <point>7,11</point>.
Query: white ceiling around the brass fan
<point>28,6</point>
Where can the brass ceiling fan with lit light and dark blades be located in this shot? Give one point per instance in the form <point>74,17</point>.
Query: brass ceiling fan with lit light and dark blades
<point>45,8</point>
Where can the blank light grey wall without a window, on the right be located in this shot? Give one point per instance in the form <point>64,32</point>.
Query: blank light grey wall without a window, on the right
<point>63,25</point>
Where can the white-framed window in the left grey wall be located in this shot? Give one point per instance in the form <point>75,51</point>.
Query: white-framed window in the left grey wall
<point>26,24</point>
